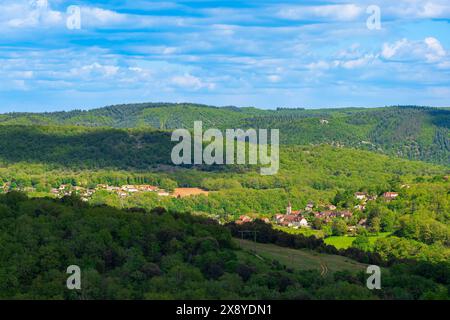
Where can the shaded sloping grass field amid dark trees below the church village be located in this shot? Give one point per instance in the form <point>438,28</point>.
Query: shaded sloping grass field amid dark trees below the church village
<point>301,259</point>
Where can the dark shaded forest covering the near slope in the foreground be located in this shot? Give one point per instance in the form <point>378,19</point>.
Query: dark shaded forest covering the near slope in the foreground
<point>138,254</point>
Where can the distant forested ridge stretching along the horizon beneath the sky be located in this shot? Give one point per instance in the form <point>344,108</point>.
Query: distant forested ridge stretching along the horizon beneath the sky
<point>412,132</point>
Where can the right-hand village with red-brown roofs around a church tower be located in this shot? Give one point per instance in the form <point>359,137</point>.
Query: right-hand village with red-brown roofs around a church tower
<point>297,219</point>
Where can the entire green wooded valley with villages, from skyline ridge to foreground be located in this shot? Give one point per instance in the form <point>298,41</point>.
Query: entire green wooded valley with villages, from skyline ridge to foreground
<point>340,202</point>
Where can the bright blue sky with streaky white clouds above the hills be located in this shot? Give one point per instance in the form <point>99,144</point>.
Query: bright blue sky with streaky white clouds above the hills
<point>247,53</point>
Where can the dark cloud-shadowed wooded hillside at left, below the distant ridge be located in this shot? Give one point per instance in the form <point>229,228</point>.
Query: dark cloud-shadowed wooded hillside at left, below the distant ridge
<point>84,147</point>
